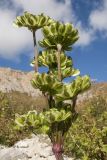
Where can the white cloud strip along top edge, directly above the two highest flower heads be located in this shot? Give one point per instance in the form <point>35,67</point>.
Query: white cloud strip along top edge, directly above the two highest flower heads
<point>52,8</point>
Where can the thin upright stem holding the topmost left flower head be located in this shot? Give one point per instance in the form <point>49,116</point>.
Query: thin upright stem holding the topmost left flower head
<point>35,51</point>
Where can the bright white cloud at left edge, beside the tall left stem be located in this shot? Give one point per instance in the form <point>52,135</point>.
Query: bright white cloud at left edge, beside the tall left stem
<point>12,40</point>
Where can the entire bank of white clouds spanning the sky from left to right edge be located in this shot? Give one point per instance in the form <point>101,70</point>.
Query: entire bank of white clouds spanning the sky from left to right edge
<point>14,42</point>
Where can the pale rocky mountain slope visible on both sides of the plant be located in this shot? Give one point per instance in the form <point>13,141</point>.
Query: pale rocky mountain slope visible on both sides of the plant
<point>15,80</point>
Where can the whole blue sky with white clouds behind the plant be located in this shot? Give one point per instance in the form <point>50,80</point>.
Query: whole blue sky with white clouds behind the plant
<point>88,16</point>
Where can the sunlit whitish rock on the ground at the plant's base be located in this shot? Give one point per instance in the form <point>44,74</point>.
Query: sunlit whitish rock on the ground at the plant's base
<point>35,148</point>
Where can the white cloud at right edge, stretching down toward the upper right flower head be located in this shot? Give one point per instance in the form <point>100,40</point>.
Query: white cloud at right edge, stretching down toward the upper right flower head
<point>97,22</point>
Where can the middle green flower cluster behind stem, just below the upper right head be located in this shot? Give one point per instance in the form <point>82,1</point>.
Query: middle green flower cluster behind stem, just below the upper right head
<point>48,58</point>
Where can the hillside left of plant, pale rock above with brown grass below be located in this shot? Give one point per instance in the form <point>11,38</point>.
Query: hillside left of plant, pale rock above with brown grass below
<point>17,89</point>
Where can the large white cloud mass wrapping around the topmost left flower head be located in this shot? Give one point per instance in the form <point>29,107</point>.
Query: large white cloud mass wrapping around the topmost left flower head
<point>13,41</point>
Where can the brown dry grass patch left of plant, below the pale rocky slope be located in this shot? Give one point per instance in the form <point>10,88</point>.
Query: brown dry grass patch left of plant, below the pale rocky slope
<point>22,102</point>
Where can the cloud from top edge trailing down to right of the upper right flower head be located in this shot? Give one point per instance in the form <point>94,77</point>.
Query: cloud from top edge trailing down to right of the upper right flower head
<point>59,11</point>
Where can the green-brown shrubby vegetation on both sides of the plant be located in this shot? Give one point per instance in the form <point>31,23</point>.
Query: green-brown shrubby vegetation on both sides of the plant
<point>86,139</point>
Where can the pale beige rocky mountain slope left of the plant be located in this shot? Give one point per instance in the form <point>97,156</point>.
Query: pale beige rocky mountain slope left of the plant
<point>15,80</point>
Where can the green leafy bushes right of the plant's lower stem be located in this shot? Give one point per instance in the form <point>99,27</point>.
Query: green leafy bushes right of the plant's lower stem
<point>87,138</point>
